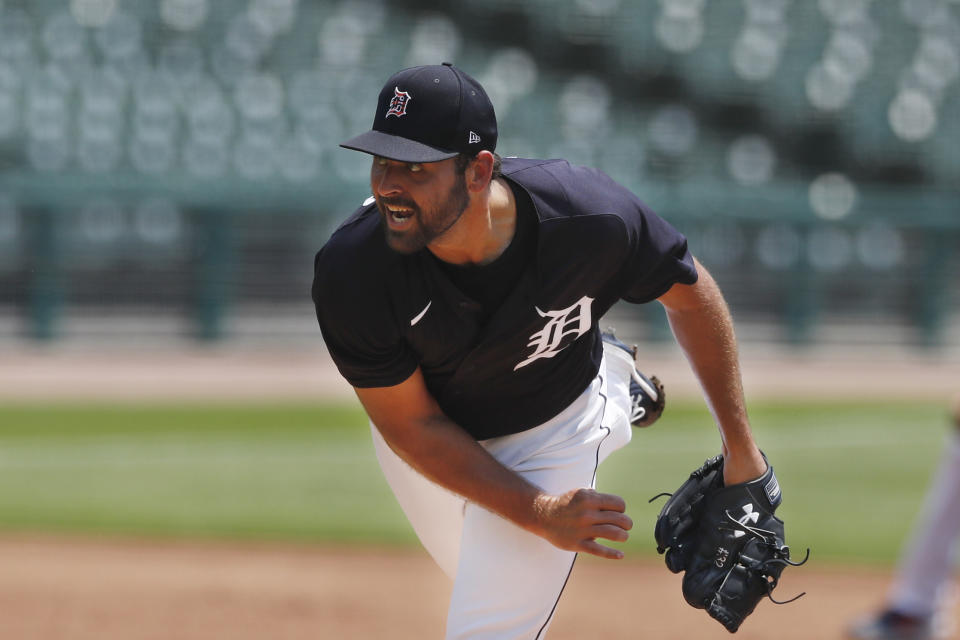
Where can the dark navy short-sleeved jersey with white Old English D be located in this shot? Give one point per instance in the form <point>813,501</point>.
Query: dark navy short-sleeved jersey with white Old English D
<point>383,314</point>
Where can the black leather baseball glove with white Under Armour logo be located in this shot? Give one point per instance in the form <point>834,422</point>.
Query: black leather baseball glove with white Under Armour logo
<point>727,540</point>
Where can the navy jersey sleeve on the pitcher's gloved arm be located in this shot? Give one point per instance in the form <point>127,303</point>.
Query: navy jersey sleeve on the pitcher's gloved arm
<point>657,257</point>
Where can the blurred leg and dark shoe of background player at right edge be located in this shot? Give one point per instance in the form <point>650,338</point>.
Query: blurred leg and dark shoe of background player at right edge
<point>924,576</point>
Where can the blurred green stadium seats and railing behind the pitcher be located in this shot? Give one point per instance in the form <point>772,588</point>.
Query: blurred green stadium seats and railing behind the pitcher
<point>180,156</point>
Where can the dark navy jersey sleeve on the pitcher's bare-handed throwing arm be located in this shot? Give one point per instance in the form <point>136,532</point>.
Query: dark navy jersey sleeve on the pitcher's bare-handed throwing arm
<point>358,326</point>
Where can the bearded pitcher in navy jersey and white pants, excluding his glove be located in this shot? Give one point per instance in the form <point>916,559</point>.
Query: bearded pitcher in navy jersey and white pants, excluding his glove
<point>461,302</point>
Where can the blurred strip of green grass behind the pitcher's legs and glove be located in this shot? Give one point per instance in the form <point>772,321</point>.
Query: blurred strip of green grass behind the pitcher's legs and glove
<point>853,475</point>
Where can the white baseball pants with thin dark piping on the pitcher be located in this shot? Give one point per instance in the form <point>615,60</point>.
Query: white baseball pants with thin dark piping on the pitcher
<point>506,581</point>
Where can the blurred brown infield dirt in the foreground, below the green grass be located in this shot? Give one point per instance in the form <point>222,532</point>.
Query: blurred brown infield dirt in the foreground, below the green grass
<point>76,589</point>
